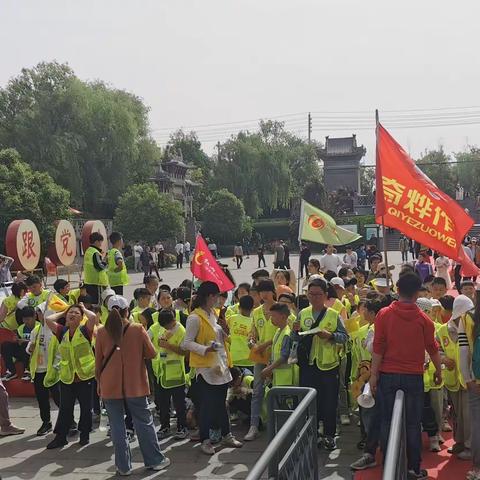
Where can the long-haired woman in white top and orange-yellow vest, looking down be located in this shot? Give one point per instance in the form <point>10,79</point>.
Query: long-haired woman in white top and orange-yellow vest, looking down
<point>205,339</point>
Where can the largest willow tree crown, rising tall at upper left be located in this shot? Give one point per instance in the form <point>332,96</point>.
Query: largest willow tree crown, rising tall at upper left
<point>92,139</point>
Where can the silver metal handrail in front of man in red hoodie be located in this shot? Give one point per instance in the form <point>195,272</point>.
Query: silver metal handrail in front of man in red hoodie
<point>395,467</point>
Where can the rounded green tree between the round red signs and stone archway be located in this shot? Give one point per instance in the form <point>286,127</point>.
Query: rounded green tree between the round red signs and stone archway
<point>145,213</point>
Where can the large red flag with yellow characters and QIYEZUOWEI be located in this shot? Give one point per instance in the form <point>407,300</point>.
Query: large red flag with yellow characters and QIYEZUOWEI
<point>406,199</point>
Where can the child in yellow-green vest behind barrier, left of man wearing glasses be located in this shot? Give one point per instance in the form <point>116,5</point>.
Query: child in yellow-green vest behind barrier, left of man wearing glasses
<point>281,372</point>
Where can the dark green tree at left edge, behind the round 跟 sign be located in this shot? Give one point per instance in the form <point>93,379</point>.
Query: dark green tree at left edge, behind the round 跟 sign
<point>27,194</point>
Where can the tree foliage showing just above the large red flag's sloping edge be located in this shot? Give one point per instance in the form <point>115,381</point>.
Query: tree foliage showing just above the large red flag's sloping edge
<point>436,164</point>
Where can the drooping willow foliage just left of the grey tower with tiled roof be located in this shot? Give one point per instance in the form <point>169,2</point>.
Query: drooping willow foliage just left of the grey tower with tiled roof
<point>265,169</point>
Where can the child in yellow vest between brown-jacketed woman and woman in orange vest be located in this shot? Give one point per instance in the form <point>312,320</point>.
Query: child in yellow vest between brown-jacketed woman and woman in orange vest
<point>169,368</point>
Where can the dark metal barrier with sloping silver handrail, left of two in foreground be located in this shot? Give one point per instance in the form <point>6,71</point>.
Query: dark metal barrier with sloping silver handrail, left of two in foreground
<point>292,433</point>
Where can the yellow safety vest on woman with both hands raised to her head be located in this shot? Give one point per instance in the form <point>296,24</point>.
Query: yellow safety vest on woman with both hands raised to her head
<point>76,357</point>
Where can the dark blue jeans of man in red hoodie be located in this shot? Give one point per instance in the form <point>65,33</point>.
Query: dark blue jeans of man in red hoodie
<point>412,386</point>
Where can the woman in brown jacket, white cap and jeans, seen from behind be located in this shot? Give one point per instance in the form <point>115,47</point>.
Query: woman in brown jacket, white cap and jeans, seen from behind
<point>120,353</point>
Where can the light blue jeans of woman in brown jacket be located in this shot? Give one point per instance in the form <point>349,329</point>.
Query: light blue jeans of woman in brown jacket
<point>144,427</point>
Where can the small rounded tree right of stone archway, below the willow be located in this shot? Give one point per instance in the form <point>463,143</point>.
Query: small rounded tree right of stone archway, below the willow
<point>225,219</point>
